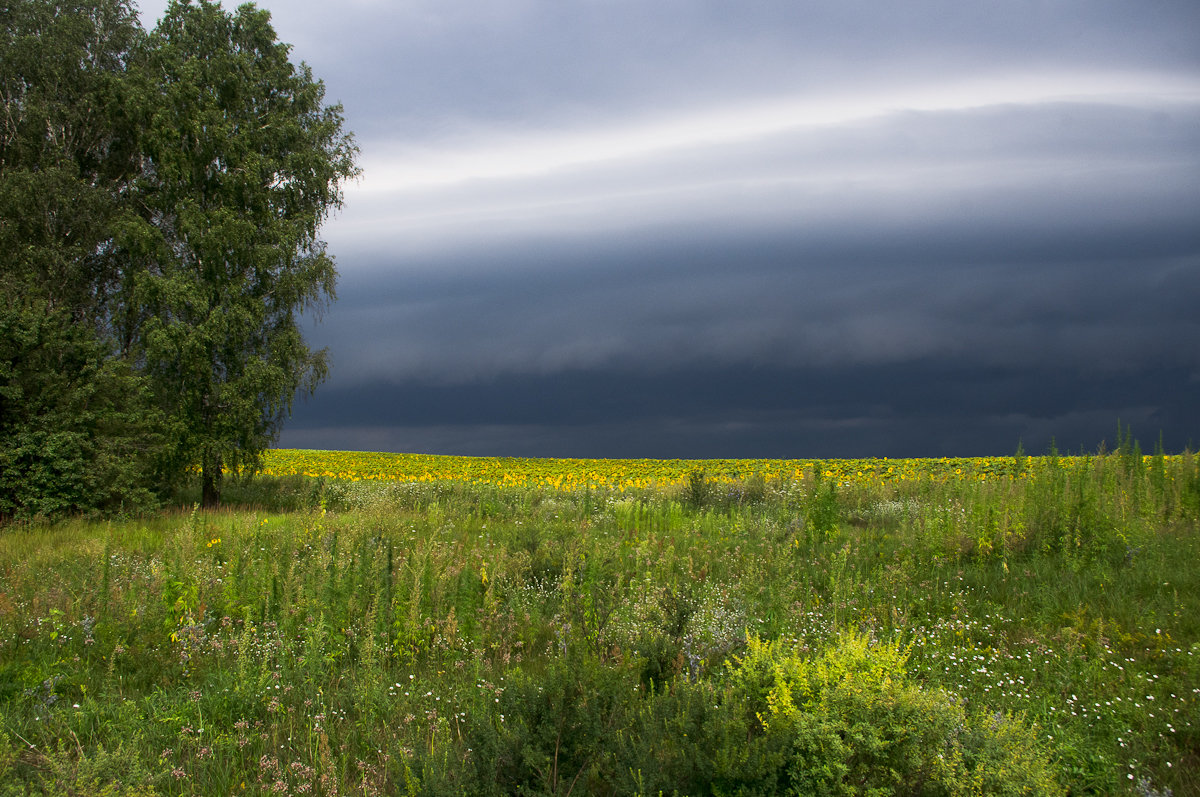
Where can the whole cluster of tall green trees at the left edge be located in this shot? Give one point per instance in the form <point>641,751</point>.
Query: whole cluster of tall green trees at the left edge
<point>161,197</point>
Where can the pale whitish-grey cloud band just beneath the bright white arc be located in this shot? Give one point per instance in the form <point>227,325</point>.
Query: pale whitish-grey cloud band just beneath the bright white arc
<point>1048,166</point>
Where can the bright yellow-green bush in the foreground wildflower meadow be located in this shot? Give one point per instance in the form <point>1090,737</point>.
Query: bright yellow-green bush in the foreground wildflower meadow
<point>855,723</point>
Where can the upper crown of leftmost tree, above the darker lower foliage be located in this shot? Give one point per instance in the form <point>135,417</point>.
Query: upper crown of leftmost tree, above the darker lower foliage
<point>68,151</point>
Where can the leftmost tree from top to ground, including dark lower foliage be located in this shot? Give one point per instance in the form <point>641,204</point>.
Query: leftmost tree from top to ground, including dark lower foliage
<point>76,429</point>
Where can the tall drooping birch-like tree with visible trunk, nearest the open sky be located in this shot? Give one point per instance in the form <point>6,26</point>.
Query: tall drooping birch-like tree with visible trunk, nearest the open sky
<point>243,163</point>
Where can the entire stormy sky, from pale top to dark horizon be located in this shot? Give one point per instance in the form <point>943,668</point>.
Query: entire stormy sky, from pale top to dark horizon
<point>766,229</point>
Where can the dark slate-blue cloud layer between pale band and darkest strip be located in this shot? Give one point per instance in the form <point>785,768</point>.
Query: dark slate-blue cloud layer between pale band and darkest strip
<point>1006,279</point>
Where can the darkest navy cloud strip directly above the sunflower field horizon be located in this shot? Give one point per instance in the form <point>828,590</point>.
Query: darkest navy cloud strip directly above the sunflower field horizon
<point>920,410</point>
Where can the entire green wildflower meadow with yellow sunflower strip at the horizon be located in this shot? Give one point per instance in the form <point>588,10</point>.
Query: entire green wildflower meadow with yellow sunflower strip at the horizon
<point>381,625</point>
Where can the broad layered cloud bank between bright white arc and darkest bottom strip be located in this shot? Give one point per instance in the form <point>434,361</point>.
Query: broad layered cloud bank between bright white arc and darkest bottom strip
<point>1041,236</point>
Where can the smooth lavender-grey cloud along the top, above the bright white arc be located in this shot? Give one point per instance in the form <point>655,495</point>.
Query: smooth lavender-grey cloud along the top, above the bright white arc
<point>439,68</point>
